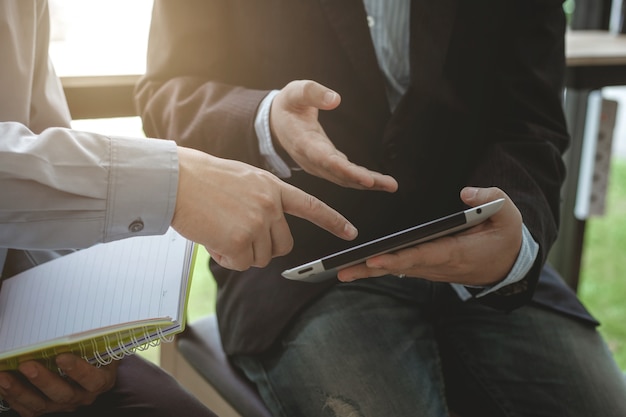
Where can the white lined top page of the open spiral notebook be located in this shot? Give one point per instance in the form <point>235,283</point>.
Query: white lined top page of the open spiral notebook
<point>106,285</point>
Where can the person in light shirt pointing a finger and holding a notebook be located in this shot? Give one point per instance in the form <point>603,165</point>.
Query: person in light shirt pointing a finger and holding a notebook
<point>63,189</point>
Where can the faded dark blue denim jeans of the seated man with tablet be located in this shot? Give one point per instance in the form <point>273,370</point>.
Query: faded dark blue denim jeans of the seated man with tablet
<point>391,347</point>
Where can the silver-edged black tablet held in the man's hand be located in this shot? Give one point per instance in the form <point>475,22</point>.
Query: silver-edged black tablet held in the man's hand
<point>327,267</point>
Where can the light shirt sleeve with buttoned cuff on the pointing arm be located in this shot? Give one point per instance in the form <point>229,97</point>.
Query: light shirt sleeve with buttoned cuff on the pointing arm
<point>69,189</point>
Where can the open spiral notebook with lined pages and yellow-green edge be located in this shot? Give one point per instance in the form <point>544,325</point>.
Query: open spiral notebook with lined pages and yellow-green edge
<point>101,303</point>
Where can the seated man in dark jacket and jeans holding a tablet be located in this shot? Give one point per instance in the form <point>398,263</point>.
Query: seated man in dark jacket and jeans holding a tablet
<point>479,324</point>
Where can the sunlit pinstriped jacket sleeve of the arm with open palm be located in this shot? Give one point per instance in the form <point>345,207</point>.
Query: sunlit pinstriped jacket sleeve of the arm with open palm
<point>194,96</point>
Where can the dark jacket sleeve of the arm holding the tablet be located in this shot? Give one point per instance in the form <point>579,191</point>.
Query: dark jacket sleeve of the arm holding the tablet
<point>523,155</point>
